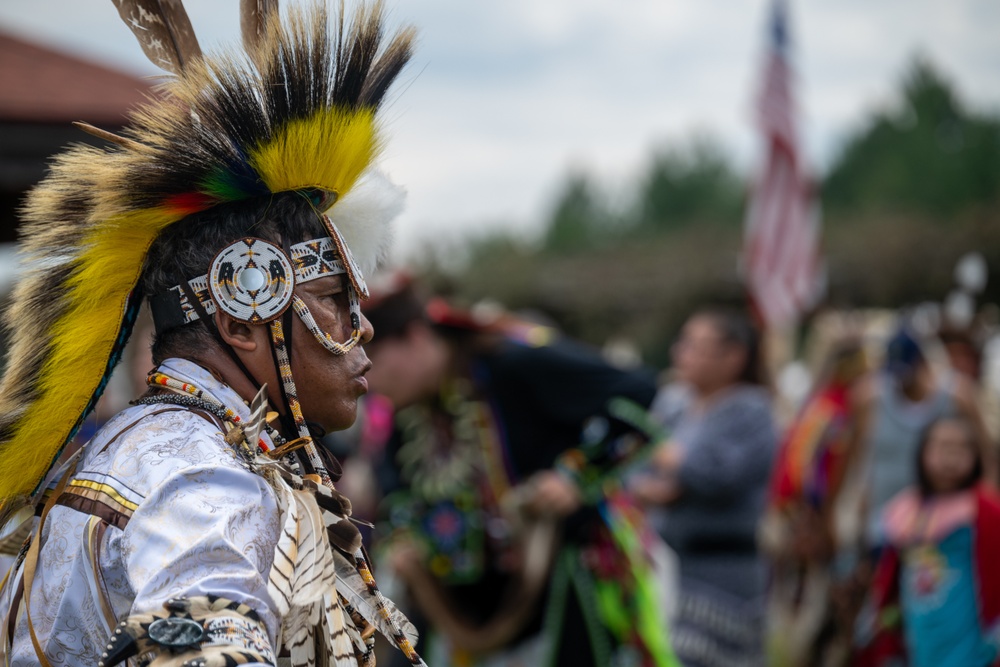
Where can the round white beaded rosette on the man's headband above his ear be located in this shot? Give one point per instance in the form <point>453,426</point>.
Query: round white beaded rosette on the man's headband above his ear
<point>252,280</point>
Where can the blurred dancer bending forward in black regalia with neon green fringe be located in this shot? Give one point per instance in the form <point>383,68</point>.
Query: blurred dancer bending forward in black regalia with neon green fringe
<point>505,437</point>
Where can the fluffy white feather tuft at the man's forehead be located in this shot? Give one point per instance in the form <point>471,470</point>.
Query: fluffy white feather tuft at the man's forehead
<point>364,216</point>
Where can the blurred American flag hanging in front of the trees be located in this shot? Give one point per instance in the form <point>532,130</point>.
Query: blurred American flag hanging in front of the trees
<point>781,259</point>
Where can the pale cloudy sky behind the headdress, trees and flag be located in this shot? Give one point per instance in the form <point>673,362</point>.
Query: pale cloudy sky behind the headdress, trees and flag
<point>504,99</point>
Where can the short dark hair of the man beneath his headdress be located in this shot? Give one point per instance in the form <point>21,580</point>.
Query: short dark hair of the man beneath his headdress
<point>186,249</point>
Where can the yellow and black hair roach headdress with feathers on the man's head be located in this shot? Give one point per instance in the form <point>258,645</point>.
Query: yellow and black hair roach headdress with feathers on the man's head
<point>297,110</point>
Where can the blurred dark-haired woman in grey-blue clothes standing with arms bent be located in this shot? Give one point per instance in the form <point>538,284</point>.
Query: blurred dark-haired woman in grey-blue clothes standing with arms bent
<point>711,480</point>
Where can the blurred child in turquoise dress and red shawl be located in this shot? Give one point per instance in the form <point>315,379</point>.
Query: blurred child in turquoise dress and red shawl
<point>937,589</point>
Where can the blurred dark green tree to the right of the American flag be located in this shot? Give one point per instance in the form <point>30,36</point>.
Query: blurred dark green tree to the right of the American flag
<point>929,155</point>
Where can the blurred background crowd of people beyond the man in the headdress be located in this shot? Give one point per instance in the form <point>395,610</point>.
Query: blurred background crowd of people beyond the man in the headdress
<point>534,501</point>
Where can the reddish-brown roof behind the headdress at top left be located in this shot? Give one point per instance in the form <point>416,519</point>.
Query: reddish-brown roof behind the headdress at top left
<point>41,85</point>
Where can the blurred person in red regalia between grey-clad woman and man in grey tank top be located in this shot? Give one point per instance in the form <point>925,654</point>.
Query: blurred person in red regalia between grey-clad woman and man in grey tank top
<point>805,628</point>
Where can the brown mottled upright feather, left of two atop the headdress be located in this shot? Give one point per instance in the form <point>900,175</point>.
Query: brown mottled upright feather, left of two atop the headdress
<point>163,30</point>
